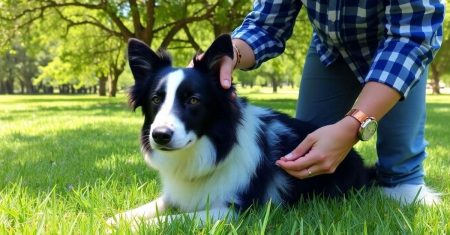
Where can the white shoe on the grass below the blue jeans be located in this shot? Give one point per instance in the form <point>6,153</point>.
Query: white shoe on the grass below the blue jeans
<point>409,193</point>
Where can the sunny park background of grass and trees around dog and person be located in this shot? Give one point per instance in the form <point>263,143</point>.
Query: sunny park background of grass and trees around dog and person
<point>69,150</point>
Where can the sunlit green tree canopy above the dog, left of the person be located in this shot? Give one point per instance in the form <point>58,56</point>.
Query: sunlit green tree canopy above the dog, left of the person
<point>87,37</point>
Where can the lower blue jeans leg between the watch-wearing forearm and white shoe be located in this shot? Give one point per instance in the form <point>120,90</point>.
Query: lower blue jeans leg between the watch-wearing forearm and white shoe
<point>401,142</point>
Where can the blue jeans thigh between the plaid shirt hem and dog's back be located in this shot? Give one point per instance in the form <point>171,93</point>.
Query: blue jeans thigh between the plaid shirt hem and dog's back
<point>326,93</point>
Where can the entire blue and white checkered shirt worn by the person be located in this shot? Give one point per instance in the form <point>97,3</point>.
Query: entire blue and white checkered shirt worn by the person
<point>390,42</point>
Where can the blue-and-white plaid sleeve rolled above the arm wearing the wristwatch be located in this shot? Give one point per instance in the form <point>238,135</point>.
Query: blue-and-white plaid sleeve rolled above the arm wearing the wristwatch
<point>413,36</point>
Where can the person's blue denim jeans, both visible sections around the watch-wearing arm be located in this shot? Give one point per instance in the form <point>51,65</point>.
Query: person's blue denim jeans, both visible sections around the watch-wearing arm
<point>328,93</point>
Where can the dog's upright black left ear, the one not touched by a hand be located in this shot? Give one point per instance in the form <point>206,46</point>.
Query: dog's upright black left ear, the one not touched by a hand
<point>144,63</point>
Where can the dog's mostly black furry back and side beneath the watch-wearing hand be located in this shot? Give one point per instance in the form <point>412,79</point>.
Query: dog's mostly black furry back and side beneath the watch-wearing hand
<point>278,134</point>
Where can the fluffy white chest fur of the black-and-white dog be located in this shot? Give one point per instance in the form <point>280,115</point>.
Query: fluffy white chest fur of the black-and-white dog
<point>193,181</point>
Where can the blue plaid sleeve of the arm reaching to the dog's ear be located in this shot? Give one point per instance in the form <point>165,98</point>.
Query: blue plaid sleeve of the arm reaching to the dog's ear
<point>267,27</point>
